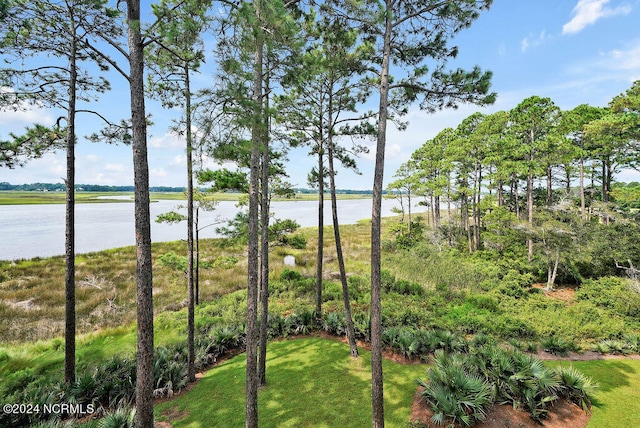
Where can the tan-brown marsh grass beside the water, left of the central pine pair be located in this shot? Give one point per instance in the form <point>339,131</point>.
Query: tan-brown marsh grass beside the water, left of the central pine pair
<point>32,291</point>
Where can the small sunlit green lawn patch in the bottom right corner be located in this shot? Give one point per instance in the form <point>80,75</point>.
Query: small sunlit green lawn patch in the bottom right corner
<point>617,400</point>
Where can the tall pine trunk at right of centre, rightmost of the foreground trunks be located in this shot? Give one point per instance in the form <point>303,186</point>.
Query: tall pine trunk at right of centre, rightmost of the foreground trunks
<point>377,393</point>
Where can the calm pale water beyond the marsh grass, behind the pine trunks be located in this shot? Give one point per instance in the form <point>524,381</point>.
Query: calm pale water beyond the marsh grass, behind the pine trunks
<point>28,231</point>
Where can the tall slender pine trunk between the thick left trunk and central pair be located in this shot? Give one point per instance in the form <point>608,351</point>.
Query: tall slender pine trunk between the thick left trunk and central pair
<point>191,353</point>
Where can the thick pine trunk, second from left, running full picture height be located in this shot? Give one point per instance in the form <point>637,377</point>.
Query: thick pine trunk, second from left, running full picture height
<point>144,278</point>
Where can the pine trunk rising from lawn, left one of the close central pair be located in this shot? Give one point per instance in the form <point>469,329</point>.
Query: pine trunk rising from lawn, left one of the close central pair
<point>252,251</point>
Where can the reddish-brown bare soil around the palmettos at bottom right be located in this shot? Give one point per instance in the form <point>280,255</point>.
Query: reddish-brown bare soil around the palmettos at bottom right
<point>562,415</point>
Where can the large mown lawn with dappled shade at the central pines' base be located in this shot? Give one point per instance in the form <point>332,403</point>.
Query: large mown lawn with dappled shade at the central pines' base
<point>311,382</point>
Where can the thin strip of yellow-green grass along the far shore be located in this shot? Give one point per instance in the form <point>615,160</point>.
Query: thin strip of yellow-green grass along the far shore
<point>40,198</point>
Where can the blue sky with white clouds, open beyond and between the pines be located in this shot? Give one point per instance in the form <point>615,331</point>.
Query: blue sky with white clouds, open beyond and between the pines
<point>572,51</point>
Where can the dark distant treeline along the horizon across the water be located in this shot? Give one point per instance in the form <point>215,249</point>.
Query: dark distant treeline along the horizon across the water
<point>59,187</point>
